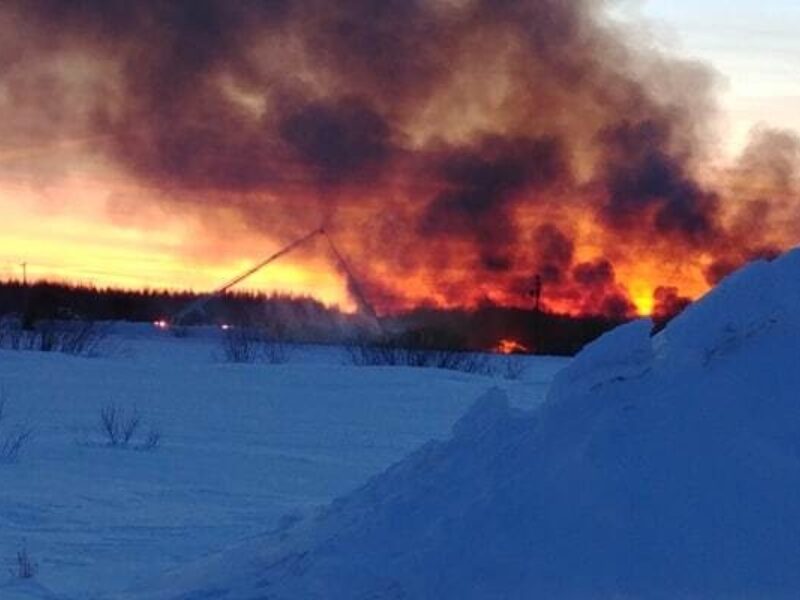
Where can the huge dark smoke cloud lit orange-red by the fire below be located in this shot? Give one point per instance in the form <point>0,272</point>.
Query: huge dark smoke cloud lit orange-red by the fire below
<point>456,148</point>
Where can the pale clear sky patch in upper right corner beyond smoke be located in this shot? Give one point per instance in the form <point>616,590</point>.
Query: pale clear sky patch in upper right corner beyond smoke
<point>753,45</point>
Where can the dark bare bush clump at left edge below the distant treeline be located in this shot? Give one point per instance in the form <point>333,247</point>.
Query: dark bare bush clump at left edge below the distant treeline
<point>72,336</point>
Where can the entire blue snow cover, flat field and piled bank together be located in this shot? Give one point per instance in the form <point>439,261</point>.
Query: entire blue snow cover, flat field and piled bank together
<point>663,466</point>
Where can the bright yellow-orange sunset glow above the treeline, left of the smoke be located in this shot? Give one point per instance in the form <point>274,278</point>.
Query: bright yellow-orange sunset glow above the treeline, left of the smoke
<point>86,245</point>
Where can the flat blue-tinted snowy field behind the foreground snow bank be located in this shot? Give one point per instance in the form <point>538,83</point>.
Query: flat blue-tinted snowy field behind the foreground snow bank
<point>243,445</point>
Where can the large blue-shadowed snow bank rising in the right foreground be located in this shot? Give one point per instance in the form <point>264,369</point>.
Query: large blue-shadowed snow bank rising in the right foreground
<point>658,467</point>
